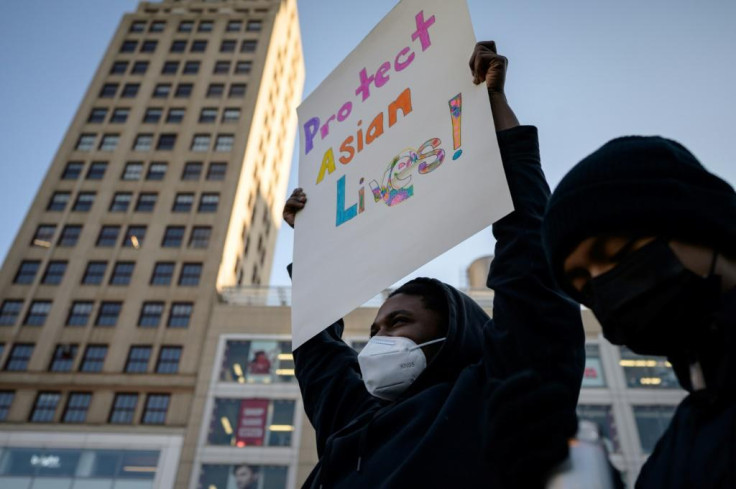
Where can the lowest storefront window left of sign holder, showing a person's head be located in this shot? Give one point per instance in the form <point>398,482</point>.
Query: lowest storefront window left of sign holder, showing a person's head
<point>243,476</point>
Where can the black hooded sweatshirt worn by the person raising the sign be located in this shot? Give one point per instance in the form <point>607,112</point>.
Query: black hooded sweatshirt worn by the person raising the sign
<point>433,435</point>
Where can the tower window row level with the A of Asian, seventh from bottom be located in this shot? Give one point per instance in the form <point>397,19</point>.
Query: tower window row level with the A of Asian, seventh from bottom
<point>133,170</point>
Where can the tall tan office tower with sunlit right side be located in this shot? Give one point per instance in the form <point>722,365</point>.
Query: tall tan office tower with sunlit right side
<point>167,186</point>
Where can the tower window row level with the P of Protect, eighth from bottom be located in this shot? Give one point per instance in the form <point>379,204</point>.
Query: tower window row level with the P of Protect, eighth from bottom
<point>201,143</point>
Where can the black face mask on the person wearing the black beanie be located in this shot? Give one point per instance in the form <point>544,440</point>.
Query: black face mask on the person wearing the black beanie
<point>651,303</point>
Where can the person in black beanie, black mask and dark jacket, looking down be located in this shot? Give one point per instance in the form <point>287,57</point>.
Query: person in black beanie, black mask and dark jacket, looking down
<point>645,236</point>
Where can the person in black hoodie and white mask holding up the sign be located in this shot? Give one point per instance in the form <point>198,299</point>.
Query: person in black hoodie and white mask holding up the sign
<point>419,406</point>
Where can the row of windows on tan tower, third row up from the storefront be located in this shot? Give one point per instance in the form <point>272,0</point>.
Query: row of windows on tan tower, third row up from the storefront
<point>108,312</point>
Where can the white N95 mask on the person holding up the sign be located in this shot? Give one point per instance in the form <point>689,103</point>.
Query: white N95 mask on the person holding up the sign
<point>390,364</point>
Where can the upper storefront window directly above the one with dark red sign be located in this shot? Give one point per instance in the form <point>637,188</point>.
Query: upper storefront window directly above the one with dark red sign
<point>257,362</point>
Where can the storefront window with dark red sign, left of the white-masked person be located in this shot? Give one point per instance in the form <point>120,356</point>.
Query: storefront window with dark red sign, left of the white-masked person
<point>252,422</point>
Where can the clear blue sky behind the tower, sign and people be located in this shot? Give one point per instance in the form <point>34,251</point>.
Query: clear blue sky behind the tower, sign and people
<point>583,72</point>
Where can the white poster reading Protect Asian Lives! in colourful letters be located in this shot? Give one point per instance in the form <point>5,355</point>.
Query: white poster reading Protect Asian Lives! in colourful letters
<point>399,161</point>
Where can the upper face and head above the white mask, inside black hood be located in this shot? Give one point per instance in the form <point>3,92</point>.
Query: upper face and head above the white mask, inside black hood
<point>405,315</point>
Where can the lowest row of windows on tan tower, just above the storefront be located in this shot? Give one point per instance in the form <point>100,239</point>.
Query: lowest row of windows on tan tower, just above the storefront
<point>77,404</point>
